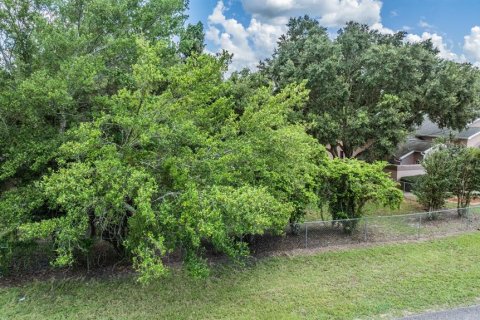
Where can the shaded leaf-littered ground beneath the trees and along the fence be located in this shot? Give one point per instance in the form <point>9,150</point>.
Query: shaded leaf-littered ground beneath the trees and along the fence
<point>312,237</point>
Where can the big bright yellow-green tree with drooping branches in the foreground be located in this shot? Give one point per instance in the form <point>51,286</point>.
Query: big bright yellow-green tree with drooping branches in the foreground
<point>169,164</point>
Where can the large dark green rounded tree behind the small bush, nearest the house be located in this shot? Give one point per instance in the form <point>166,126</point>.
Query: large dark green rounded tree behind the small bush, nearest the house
<point>368,90</point>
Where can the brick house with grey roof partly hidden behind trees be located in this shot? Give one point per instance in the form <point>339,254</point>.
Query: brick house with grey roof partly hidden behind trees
<point>406,161</point>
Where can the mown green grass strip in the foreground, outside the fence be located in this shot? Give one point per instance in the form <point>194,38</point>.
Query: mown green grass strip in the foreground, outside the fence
<point>377,282</point>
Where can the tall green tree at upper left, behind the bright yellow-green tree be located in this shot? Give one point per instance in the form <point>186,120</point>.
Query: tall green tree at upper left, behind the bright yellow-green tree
<point>58,58</point>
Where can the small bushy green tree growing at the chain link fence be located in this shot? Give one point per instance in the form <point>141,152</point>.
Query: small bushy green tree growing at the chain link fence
<point>349,184</point>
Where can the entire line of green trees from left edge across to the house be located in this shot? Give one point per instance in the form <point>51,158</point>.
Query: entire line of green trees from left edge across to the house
<point>115,125</point>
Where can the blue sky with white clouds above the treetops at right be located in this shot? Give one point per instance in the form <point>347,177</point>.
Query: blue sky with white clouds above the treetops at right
<point>250,28</point>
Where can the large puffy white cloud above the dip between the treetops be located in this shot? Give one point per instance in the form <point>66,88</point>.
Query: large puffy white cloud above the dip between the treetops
<point>255,42</point>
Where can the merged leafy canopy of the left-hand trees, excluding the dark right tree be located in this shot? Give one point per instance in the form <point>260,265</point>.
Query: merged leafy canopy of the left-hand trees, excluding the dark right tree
<point>114,131</point>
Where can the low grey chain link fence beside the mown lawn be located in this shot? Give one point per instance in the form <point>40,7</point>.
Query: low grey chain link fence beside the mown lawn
<point>332,233</point>
